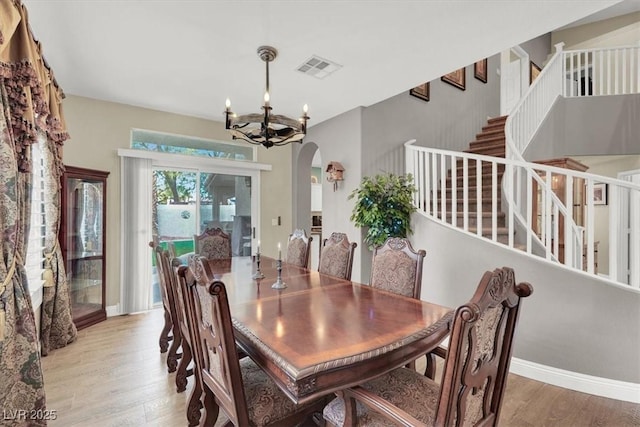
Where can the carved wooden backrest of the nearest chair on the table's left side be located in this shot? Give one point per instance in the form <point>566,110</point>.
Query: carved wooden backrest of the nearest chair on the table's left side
<point>215,350</point>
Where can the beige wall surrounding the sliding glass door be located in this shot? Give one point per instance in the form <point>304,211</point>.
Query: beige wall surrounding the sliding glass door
<point>99,128</point>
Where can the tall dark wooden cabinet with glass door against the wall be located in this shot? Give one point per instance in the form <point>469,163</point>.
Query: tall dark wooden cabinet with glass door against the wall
<point>82,240</point>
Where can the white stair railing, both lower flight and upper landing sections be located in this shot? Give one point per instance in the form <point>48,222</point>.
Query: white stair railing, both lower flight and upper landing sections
<point>462,189</point>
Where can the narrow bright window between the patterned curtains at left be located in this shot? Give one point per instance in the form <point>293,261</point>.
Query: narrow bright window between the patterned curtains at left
<point>34,262</point>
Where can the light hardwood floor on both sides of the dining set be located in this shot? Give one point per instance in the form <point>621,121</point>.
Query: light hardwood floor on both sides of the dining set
<point>114,375</point>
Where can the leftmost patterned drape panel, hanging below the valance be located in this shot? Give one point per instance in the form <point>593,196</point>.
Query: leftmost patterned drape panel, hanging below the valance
<point>22,387</point>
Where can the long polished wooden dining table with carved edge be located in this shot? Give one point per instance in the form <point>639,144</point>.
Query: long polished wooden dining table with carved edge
<point>322,334</point>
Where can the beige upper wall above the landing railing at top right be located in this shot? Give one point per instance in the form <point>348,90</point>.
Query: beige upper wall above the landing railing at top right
<point>615,32</point>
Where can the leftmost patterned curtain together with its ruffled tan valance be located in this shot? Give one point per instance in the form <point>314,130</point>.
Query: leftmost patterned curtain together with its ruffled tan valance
<point>30,100</point>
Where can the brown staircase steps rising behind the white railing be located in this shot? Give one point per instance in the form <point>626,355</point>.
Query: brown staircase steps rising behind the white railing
<point>490,142</point>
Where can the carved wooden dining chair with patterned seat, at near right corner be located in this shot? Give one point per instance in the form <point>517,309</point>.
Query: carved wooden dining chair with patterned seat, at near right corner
<point>475,370</point>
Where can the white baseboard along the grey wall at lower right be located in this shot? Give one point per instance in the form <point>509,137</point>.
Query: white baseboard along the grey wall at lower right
<point>612,389</point>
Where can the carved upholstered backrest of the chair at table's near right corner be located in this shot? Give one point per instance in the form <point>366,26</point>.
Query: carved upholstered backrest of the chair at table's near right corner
<point>479,353</point>
